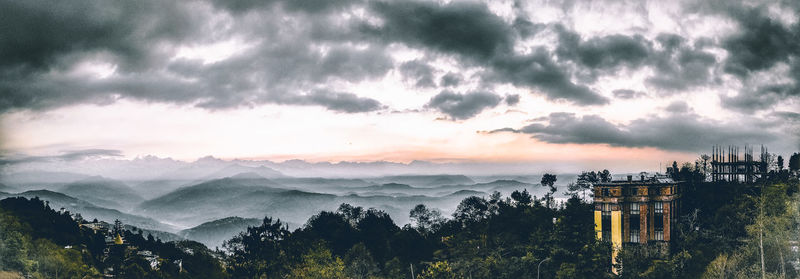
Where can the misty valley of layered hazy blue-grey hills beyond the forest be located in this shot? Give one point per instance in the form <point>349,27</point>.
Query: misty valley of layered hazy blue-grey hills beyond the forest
<point>212,200</point>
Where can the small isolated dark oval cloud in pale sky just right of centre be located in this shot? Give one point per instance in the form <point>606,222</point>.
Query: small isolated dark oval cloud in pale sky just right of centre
<point>463,106</point>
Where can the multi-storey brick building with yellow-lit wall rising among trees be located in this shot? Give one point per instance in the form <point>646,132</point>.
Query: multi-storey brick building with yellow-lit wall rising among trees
<point>634,211</point>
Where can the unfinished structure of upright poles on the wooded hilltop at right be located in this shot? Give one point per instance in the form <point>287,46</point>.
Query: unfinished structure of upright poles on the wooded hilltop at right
<point>726,165</point>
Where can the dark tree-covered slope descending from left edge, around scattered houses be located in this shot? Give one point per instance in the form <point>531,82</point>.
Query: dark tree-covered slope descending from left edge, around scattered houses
<point>40,242</point>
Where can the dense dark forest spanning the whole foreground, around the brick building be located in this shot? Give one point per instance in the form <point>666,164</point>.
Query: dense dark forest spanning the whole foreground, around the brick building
<point>726,230</point>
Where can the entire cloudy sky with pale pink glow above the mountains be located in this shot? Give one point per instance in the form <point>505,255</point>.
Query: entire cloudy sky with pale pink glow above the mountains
<point>626,84</point>
